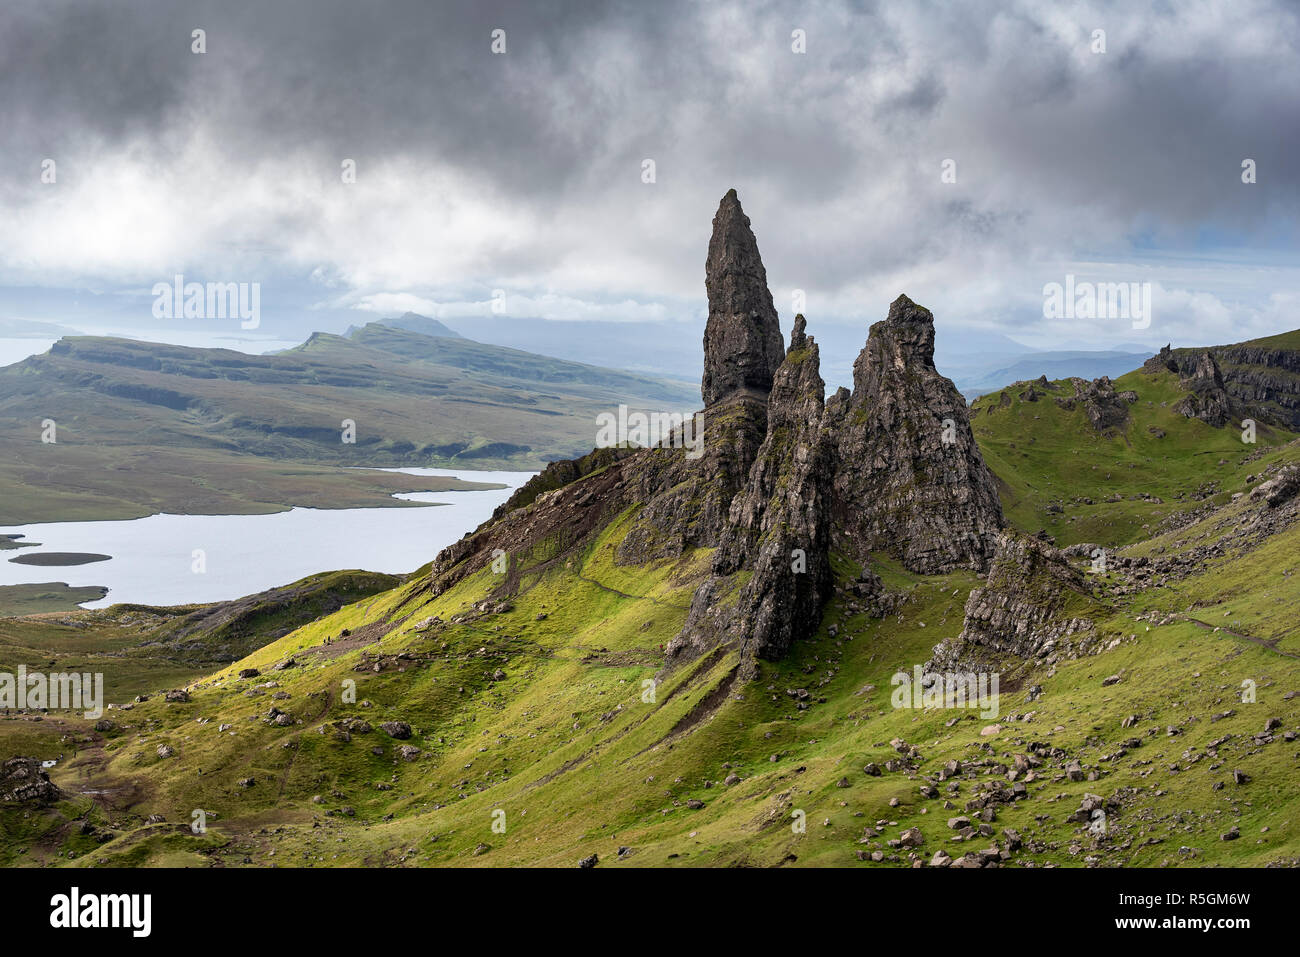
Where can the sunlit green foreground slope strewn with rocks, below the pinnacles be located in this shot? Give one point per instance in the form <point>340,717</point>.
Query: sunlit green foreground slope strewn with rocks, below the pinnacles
<point>531,705</point>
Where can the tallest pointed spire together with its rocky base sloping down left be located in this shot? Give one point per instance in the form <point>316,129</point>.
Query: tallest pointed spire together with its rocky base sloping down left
<point>684,503</point>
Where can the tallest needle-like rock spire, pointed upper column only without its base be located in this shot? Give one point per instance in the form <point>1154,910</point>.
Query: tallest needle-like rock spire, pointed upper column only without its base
<point>743,339</point>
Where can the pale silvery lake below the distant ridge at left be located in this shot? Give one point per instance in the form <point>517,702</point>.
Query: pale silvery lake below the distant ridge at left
<point>153,560</point>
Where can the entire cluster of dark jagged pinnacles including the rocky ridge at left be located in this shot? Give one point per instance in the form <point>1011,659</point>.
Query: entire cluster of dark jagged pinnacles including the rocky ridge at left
<point>894,465</point>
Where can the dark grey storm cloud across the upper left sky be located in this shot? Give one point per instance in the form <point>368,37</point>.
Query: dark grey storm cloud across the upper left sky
<point>346,79</point>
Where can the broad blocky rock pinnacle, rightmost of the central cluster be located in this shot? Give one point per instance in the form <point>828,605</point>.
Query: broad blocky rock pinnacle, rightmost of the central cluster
<point>909,477</point>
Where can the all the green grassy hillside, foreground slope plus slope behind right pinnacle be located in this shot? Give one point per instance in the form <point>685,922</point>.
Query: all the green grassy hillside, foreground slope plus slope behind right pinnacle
<point>523,716</point>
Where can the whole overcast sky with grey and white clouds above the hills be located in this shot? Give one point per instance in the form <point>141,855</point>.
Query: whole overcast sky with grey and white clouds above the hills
<point>525,171</point>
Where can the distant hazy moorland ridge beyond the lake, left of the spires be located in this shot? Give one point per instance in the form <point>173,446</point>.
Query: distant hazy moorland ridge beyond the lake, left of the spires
<point>146,427</point>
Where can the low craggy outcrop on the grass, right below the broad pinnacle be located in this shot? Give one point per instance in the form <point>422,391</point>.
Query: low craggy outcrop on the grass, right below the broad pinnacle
<point>1033,608</point>
